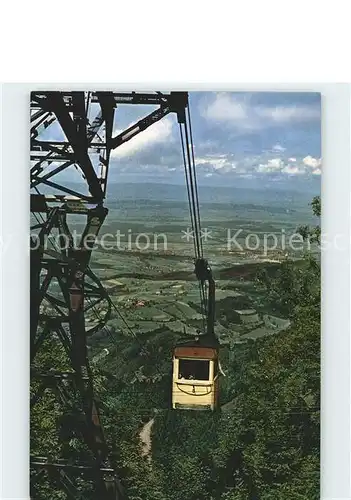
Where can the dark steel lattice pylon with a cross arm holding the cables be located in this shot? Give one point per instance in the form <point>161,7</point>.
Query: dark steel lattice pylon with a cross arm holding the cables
<point>63,287</point>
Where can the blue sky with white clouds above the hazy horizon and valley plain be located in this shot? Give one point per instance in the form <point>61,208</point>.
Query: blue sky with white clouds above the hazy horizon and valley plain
<point>273,136</point>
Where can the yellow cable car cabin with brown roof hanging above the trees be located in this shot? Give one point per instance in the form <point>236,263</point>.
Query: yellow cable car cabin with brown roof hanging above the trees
<point>195,377</point>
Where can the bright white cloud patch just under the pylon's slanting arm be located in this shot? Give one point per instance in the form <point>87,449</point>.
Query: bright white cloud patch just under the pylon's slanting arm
<point>157,133</point>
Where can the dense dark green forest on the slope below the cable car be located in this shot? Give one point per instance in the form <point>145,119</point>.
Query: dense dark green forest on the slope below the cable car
<point>261,444</point>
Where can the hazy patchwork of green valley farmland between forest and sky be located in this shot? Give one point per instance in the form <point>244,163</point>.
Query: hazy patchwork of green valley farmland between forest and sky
<point>145,260</point>
